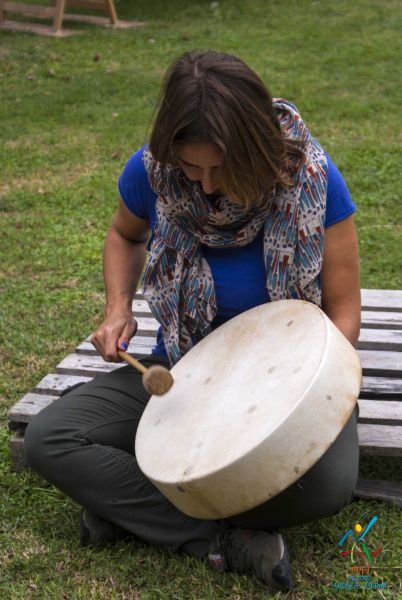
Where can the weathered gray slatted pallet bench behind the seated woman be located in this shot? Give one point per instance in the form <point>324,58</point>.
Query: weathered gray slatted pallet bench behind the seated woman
<point>380,401</point>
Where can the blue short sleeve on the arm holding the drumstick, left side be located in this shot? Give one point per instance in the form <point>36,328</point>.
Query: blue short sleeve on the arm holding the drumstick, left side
<point>135,189</point>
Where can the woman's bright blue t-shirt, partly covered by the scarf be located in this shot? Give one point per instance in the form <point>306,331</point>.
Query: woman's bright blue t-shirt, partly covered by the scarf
<point>239,273</point>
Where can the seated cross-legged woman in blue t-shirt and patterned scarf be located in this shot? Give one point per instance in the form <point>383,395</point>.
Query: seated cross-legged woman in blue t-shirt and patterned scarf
<point>238,199</point>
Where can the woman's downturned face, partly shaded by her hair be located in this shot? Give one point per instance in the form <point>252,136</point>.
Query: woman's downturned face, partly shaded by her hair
<point>201,162</point>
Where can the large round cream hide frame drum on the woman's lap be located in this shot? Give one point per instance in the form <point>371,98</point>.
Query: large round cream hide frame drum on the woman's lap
<point>254,405</point>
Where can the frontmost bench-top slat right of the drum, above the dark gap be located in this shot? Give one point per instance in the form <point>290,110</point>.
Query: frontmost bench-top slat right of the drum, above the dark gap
<point>382,440</point>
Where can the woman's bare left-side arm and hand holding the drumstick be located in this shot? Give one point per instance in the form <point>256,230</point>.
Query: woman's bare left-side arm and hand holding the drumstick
<point>123,260</point>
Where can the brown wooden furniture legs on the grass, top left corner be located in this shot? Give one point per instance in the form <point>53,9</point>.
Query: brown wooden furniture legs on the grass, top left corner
<point>56,12</point>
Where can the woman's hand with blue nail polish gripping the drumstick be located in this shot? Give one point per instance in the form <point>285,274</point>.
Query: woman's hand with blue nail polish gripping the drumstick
<point>115,332</point>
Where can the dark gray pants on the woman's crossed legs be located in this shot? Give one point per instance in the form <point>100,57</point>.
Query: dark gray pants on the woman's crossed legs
<point>83,443</point>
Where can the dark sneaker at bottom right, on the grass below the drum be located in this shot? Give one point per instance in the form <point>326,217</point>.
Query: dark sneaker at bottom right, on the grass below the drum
<point>260,553</point>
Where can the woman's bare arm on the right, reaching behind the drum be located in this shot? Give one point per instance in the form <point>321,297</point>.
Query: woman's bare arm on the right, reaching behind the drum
<point>340,278</point>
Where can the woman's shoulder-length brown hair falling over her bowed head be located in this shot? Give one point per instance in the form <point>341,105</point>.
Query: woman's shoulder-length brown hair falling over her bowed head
<point>209,96</point>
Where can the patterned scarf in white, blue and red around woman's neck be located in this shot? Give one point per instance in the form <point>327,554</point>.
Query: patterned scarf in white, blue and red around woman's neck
<point>178,283</point>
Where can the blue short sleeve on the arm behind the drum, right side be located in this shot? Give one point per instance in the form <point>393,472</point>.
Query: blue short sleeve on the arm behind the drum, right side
<point>339,201</point>
